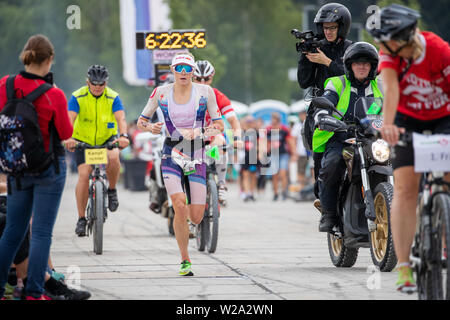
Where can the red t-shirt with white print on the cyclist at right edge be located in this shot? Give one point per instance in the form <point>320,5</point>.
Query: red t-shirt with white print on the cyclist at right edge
<point>425,88</point>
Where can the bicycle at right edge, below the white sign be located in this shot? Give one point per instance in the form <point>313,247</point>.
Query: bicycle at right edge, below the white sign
<point>429,254</point>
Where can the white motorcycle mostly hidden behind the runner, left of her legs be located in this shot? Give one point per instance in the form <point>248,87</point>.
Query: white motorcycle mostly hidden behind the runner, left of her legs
<point>160,203</point>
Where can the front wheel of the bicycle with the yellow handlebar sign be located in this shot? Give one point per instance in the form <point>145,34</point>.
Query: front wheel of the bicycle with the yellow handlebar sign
<point>98,213</point>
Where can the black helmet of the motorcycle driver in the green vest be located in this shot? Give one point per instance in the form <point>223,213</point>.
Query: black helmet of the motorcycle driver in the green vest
<point>360,52</point>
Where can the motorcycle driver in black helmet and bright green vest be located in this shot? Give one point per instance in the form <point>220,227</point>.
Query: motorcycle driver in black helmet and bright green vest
<point>360,80</point>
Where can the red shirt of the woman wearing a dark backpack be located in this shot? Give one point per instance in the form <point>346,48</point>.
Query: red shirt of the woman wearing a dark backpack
<point>50,105</point>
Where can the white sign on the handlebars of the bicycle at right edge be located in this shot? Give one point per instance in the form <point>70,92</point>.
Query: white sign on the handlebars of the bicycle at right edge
<point>431,152</point>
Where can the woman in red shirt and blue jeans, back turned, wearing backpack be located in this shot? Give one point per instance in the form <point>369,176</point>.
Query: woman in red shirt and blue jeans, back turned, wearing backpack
<point>37,195</point>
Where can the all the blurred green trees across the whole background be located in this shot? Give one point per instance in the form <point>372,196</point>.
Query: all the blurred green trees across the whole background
<point>249,41</point>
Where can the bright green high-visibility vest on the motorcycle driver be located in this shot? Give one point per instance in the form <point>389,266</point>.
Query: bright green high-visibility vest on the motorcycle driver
<point>343,88</point>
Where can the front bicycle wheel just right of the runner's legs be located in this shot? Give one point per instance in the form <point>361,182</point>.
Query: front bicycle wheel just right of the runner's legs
<point>212,218</point>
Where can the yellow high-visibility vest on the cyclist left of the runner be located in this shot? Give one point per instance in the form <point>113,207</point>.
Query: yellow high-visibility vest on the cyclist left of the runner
<point>95,122</point>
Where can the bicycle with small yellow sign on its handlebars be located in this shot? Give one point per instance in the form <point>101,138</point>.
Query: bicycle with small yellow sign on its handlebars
<point>96,210</point>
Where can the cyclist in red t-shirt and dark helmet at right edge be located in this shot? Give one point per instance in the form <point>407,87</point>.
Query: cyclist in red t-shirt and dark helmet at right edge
<point>415,69</point>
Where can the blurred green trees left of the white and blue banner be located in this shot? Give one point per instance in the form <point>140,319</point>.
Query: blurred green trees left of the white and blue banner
<point>98,42</point>
